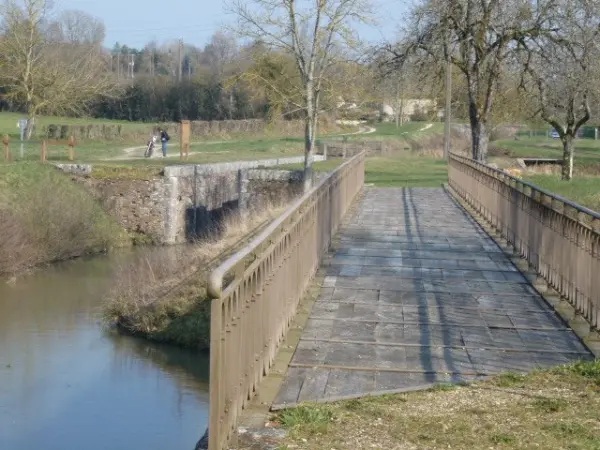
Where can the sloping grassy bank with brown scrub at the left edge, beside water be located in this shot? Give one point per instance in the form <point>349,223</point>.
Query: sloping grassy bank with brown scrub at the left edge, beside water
<point>45,217</point>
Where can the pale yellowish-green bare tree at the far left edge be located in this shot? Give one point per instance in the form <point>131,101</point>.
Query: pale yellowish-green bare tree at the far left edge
<point>45,75</point>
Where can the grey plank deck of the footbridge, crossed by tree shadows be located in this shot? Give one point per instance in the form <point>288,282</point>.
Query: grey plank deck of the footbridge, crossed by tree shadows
<point>416,293</point>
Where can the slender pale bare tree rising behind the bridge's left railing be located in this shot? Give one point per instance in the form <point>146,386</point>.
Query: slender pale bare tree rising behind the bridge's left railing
<point>309,31</point>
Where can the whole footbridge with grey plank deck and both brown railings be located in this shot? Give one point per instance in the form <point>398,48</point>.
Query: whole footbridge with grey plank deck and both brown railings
<point>416,292</point>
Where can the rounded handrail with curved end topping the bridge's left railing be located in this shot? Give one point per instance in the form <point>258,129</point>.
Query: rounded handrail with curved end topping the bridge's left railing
<point>215,279</point>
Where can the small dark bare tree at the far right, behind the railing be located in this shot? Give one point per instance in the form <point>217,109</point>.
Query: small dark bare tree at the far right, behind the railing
<point>561,72</point>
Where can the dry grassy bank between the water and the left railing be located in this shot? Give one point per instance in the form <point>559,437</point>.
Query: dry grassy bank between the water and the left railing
<point>162,295</point>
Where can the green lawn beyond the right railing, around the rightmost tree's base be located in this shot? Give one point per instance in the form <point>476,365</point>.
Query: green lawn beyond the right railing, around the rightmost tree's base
<point>585,186</point>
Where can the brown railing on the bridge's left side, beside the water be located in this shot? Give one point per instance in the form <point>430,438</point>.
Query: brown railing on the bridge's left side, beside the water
<point>256,292</point>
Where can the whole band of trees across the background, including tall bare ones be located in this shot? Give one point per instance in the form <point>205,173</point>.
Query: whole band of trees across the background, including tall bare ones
<point>509,60</point>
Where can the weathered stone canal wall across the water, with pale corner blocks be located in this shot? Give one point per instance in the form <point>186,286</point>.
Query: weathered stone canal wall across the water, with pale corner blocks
<point>191,200</point>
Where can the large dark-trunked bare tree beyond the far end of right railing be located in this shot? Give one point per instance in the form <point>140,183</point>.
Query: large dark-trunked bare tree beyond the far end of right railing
<point>479,37</point>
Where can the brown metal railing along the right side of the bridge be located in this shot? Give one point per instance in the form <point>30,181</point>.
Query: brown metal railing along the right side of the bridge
<point>559,238</point>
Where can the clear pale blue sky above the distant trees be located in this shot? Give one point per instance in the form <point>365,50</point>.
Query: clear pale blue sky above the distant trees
<point>136,22</point>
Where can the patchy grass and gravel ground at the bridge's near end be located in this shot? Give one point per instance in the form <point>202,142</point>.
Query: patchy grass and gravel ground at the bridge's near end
<point>556,409</point>
